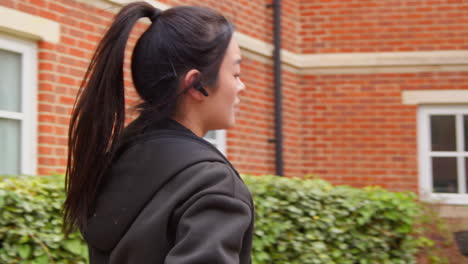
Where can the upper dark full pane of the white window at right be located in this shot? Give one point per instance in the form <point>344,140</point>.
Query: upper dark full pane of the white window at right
<point>443,136</point>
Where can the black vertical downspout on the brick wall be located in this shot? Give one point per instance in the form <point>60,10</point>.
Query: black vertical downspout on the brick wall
<point>278,94</point>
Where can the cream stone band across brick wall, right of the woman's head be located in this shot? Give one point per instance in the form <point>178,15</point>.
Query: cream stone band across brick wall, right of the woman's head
<point>456,59</point>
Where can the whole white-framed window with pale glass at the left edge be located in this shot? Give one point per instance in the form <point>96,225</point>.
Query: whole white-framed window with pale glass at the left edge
<point>18,74</point>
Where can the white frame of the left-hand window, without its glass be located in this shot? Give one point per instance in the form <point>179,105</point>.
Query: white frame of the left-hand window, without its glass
<point>28,114</point>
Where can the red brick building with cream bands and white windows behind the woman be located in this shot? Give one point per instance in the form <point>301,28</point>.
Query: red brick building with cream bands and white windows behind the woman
<point>375,92</point>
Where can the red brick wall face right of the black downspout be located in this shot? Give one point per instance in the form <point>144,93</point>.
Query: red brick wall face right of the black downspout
<point>356,130</point>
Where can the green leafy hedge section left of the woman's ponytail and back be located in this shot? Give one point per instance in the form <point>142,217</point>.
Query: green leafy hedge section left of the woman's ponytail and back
<point>30,222</point>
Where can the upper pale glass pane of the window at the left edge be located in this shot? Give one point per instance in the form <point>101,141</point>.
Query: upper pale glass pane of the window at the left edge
<point>10,81</point>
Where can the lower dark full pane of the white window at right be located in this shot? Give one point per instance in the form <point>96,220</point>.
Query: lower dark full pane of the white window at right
<point>444,175</point>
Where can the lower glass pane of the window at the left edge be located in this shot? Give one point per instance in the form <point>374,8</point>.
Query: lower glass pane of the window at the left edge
<point>10,133</point>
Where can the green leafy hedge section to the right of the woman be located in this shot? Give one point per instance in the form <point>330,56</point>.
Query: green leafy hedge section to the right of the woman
<point>310,221</point>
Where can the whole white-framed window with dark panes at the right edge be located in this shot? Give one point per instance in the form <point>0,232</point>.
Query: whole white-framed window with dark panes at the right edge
<point>443,153</point>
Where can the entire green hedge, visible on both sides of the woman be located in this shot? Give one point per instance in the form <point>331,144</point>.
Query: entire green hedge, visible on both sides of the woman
<point>297,221</point>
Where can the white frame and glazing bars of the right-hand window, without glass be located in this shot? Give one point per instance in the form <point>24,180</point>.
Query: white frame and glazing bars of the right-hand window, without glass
<point>425,154</point>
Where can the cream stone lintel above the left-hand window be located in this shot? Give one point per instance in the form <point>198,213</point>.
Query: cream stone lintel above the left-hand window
<point>29,26</point>
